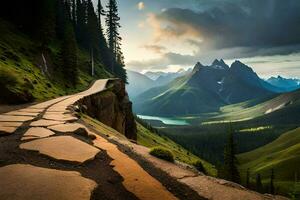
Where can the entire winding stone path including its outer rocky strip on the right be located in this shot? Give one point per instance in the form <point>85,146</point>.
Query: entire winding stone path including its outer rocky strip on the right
<point>57,154</point>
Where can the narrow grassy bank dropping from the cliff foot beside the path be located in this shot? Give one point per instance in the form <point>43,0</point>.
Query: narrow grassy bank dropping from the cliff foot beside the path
<point>149,139</point>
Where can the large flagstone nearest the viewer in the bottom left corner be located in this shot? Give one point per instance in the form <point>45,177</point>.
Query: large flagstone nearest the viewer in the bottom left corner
<point>27,182</point>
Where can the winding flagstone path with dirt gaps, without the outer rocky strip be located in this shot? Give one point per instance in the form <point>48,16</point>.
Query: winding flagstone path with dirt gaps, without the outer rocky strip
<point>25,148</point>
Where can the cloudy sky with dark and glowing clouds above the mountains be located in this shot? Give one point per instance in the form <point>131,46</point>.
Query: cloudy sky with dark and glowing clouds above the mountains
<point>172,34</point>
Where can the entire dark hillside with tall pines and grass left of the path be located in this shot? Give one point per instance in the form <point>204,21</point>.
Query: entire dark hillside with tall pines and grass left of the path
<point>55,47</point>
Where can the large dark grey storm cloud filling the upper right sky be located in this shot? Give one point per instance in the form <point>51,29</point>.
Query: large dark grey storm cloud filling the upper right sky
<point>241,23</point>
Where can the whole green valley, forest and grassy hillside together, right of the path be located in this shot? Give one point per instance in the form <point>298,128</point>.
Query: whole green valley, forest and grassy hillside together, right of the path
<point>266,134</point>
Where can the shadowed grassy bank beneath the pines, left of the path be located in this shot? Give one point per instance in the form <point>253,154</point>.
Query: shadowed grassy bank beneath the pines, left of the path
<point>20,56</point>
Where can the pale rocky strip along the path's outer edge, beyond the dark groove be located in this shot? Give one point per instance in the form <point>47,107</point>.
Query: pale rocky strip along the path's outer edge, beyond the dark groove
<point>205,186</point>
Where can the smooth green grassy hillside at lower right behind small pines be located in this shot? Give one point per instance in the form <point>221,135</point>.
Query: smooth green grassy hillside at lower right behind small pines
<point>283,155</point>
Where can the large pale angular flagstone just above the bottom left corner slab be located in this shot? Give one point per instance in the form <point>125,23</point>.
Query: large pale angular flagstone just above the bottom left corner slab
<point>64,148</point>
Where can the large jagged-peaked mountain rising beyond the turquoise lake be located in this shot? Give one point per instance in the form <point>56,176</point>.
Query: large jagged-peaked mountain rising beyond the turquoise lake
<point>205,89</point>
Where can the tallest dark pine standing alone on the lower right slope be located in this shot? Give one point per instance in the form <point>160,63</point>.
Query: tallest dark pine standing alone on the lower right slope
<point>231,172</point>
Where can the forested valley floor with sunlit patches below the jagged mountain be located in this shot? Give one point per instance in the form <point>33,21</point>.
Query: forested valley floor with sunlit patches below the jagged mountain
<point>207,139</point>
